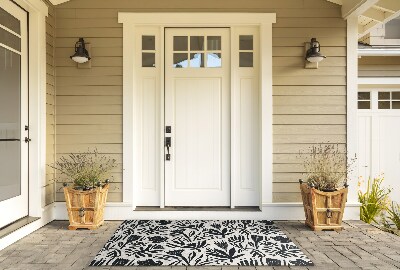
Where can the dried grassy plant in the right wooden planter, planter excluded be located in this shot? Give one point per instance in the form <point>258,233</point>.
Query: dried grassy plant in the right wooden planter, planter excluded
<point>325,167</point>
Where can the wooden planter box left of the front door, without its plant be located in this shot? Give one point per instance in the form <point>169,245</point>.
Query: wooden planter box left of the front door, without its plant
<point>86,208</point>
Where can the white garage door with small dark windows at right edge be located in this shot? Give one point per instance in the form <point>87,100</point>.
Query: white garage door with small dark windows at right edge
<point>379,136</point>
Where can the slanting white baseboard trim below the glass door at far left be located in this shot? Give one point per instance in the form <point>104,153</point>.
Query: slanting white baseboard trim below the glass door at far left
<point>47,216</point>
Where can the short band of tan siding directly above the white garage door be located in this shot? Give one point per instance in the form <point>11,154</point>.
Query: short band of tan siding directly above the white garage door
<point>379,66</point>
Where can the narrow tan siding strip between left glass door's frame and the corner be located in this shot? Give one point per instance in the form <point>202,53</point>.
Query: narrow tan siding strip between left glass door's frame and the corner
<point>50,106</point>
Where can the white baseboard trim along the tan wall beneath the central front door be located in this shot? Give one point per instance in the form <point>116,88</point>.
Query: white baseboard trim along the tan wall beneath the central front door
<point>270,211</point>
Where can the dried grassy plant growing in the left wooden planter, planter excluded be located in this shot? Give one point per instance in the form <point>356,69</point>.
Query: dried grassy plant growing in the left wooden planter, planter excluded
<point>85,169</point>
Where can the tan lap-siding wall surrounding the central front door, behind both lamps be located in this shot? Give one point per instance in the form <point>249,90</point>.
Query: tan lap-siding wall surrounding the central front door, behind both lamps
<point>309,104</point>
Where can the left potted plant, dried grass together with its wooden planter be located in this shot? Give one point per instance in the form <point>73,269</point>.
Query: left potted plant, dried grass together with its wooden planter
<point>86,198</point>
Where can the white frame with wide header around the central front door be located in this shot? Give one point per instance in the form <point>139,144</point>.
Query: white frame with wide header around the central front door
<point>131,119</point>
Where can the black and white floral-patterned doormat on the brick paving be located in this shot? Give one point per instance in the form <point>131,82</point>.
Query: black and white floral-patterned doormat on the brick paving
<point>199,242</point>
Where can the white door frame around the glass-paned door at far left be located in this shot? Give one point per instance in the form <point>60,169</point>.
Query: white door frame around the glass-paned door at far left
<point>37,13</point>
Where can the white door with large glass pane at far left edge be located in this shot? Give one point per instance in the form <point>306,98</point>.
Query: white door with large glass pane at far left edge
<point>13,113</point>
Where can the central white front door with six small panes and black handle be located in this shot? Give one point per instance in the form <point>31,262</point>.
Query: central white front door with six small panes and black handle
<point>197,110</point>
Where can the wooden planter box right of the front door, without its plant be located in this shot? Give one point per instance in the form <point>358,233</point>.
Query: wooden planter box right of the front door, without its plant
<point>323,210</point>
